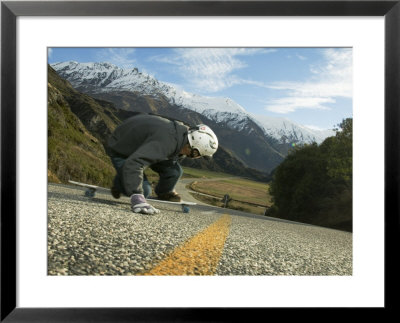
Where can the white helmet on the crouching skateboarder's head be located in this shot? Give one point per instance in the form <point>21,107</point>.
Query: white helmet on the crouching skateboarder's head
<point>203,139</point>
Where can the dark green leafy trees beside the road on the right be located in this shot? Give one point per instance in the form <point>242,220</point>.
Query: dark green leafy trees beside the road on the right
<point>314,183</point>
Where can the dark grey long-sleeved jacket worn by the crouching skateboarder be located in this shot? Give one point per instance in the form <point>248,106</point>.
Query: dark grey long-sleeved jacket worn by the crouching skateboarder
<point>144,140</point>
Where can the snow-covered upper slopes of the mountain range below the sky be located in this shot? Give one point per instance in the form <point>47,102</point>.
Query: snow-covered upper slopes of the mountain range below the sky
<point>95,78</point>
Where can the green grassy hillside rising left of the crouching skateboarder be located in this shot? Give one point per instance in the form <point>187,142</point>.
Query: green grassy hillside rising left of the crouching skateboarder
<point>73,152</point>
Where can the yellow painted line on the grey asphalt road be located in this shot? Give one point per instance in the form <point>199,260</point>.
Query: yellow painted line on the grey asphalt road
<point>199,255</point>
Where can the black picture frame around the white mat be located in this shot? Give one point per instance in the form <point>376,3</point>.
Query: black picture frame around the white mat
<point>10,10</point>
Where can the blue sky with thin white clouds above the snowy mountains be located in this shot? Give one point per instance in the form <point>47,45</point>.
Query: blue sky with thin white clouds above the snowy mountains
<point>310,86</point>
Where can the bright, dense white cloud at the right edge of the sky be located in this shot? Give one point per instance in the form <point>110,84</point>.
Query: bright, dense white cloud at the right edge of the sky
<point>330,78</point>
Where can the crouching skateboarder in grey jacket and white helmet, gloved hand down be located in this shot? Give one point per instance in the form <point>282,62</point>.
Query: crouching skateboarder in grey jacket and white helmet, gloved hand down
<point>159,143</point>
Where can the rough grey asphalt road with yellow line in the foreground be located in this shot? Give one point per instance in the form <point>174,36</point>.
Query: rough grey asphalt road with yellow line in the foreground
<point>102,236</point>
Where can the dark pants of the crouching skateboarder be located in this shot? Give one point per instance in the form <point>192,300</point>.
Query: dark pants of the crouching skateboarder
<point>169,171</point>
